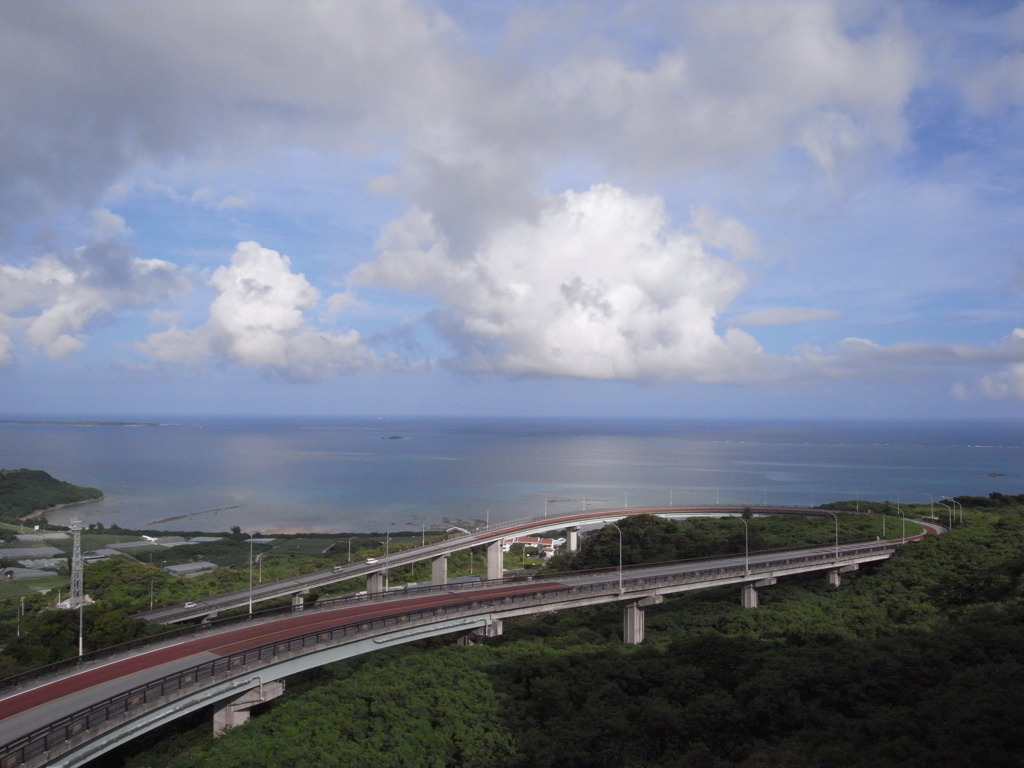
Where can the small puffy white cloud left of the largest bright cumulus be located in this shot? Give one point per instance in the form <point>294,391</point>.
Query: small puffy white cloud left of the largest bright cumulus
<point>260,320</point>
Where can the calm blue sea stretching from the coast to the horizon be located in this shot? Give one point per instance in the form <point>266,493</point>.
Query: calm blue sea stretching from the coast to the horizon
<point>349,475</point>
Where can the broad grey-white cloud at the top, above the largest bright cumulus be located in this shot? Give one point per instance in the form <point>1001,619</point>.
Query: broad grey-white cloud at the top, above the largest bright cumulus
<point>728,83</point>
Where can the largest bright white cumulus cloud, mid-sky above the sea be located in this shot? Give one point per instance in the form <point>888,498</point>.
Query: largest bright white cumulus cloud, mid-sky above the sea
<point>599,287</point>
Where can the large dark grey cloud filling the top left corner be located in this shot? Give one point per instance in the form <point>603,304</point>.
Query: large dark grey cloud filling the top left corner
<point>193,80</point>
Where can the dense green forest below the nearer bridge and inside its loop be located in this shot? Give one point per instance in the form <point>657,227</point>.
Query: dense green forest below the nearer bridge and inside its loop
<point>915,662</point>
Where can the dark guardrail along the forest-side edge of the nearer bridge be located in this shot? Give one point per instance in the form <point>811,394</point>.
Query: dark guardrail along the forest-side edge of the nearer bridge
<point>59,733</point>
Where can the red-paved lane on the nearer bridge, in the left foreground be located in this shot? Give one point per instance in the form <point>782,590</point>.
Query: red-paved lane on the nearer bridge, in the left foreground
<point>226,644</point>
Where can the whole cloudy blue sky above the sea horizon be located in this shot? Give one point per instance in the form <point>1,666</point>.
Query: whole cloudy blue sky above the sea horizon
<point>746,208</point>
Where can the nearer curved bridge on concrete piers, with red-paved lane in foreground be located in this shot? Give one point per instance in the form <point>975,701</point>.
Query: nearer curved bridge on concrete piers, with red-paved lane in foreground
<point>73,718</point>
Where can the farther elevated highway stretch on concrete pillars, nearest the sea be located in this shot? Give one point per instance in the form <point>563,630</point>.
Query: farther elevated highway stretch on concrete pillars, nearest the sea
<point>439,552</point>
